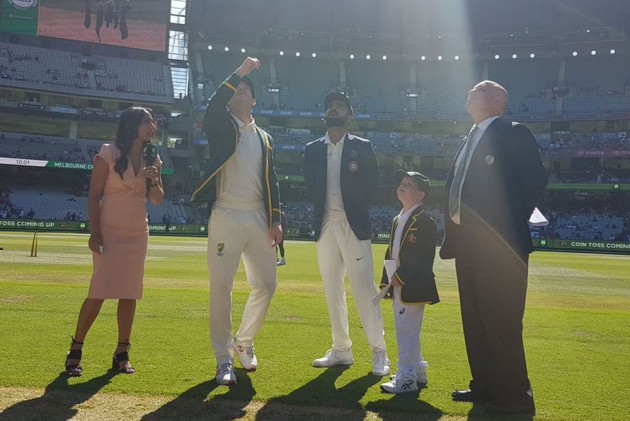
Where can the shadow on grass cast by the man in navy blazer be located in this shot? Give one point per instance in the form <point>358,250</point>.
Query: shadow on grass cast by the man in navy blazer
<point>319,399</point>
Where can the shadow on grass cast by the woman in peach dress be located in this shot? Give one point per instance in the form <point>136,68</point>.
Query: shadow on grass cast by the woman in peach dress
<point>58,400</point>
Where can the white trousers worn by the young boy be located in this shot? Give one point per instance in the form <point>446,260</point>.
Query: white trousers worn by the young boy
<point>408,323</point>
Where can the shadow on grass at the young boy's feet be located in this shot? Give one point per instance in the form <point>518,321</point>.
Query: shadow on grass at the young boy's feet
<point>403,407</point>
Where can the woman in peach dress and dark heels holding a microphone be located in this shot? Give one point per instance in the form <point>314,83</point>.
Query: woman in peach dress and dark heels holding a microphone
<point>119,231</point>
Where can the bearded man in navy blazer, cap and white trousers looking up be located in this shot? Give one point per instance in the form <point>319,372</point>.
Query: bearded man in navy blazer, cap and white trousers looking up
<point>341,175</point>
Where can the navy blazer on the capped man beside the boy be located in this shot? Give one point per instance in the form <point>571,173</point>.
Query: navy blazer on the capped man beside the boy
<point>360,180</point>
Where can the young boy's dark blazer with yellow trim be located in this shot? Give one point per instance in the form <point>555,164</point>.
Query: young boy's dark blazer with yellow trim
<point>415,259</point>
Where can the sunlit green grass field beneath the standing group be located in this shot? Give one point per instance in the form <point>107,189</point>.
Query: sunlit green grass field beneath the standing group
<point>577,338</point>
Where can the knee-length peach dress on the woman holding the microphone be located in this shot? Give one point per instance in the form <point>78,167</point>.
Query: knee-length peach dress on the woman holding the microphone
<point>118,272</point>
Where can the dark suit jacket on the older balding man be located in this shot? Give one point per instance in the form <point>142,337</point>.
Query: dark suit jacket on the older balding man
<point>504,182</point>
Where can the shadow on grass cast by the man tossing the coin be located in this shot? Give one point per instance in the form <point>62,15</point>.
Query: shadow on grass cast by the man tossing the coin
<point>192,404</point>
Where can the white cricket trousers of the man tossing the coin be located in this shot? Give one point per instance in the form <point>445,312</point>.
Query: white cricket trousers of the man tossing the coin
<point>232,233</point>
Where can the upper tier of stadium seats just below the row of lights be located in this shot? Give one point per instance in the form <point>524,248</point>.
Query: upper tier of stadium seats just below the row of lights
<point>590,87</point>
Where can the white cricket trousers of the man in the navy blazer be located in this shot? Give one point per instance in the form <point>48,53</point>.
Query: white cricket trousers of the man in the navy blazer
<point>340,252</point>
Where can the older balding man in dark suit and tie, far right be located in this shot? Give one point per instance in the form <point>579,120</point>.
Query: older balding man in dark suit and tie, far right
<point>492,188</point>
